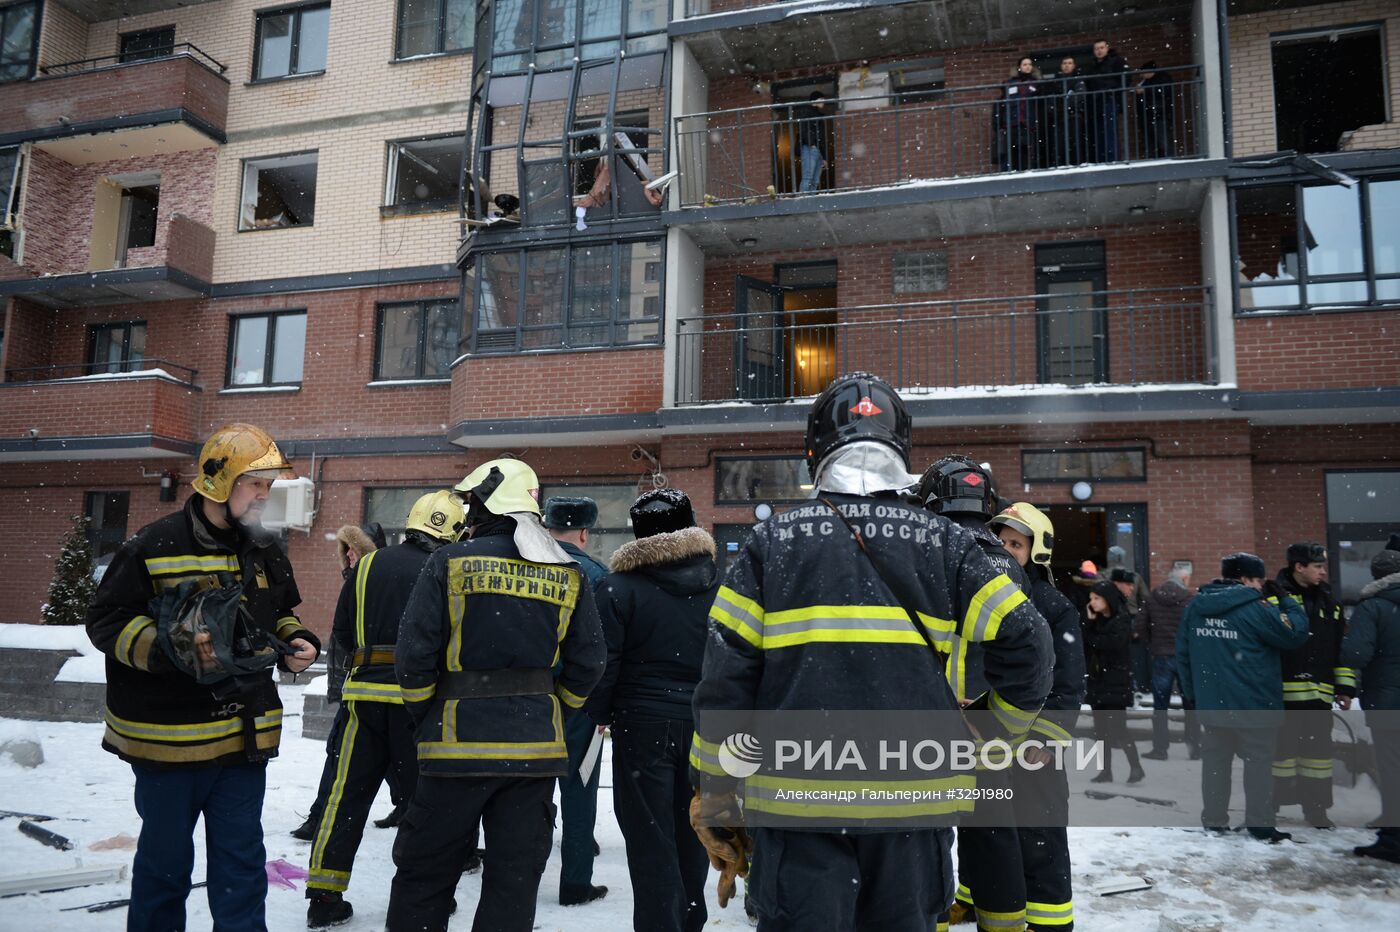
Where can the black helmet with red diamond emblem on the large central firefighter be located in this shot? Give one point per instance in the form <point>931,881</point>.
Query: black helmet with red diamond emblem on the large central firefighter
<point>855,408</point>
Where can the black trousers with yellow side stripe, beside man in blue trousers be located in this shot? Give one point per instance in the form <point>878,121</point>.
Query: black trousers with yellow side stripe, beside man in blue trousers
<point>377,741</point>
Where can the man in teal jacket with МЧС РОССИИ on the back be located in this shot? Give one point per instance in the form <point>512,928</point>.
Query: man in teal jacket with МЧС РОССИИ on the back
<point>1227,654</point>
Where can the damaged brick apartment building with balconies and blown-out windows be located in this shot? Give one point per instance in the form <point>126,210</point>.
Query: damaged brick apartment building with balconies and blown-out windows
<point>626,239</point>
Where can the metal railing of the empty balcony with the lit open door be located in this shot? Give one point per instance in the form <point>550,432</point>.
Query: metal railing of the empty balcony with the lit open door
<point>1153,337</point>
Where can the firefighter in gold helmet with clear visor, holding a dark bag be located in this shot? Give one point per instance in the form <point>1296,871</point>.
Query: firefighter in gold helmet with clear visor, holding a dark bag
<point>197,749</point>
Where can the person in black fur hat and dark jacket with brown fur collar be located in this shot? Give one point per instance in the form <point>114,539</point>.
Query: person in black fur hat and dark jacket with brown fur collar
<point>656,608</point>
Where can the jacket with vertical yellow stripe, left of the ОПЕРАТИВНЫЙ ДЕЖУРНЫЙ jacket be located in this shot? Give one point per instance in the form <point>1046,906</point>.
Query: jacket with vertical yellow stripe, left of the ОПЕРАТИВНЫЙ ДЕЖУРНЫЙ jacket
<point>367,618</point>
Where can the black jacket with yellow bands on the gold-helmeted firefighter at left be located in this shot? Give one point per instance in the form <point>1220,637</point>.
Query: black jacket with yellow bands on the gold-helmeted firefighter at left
<point>156,716</point>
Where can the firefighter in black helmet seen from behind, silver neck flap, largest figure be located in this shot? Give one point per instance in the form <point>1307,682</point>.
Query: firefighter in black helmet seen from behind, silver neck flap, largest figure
<point>817,614</point>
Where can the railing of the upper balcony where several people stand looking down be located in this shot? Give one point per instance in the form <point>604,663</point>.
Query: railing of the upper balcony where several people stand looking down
<point>757,153</point>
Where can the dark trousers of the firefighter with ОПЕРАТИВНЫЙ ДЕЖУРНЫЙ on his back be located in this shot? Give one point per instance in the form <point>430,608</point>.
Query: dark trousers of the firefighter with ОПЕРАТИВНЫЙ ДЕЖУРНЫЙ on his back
<point>439,833</point>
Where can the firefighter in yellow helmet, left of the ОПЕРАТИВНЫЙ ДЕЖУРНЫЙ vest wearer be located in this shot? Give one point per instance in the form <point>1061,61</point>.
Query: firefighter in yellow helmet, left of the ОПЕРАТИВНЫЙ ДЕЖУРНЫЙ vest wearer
<point>379,735</point>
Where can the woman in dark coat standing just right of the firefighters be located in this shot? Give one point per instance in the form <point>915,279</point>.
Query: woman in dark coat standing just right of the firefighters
<point>1108,632</point>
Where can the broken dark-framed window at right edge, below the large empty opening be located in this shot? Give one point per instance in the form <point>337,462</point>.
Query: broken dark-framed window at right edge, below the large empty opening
<point>1367,276</point>
